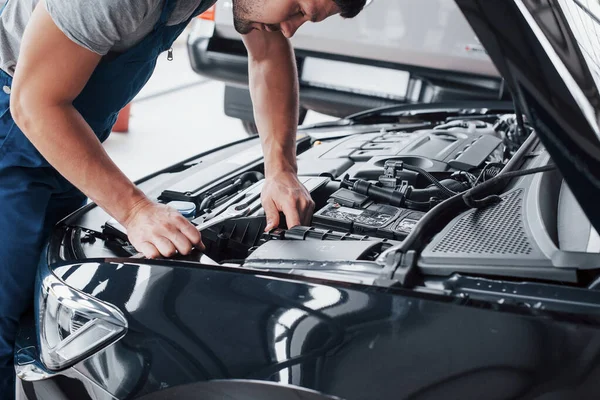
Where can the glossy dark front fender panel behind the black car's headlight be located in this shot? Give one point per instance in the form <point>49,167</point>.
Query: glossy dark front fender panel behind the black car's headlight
<point>201,323</point>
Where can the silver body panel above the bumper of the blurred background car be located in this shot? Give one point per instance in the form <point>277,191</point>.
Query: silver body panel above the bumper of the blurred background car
<point>427,33</point>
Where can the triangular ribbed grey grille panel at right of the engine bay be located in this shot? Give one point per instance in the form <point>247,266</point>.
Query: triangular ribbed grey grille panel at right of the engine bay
<point>495,230</point>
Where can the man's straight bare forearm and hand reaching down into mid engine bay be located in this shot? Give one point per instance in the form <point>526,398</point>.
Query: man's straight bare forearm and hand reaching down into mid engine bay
<point>274,90</point>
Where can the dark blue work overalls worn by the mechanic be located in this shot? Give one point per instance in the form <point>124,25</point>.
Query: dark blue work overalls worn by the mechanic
<point>34,196</point>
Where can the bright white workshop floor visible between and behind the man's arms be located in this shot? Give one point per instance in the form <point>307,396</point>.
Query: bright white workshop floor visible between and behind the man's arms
<point>179,105</point>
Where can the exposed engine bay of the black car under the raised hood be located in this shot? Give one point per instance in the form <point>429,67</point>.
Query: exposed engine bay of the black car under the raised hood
<point>373,186</point>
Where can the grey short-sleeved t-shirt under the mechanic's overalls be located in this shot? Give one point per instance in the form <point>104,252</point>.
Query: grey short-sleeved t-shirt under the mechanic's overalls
<point>102,26</point>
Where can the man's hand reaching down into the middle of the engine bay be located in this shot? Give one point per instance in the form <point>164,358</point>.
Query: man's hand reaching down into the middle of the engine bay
<point>284,192</point>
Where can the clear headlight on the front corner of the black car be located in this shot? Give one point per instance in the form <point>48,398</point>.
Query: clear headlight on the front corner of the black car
<point>73,325</point>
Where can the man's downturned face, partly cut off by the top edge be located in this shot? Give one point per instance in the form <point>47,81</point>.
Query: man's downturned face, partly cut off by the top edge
<point>279,15</point>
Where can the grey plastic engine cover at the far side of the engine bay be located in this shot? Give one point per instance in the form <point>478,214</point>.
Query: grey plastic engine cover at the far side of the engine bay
<point>438,151</point>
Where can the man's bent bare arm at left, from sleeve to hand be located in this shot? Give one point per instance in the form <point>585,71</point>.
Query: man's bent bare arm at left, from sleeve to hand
<point>52,70</point>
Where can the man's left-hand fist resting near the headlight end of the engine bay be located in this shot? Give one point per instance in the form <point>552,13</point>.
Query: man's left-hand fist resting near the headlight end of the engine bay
<point>156,229</point>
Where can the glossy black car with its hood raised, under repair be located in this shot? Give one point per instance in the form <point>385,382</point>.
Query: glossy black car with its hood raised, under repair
<point>453,253</point>
